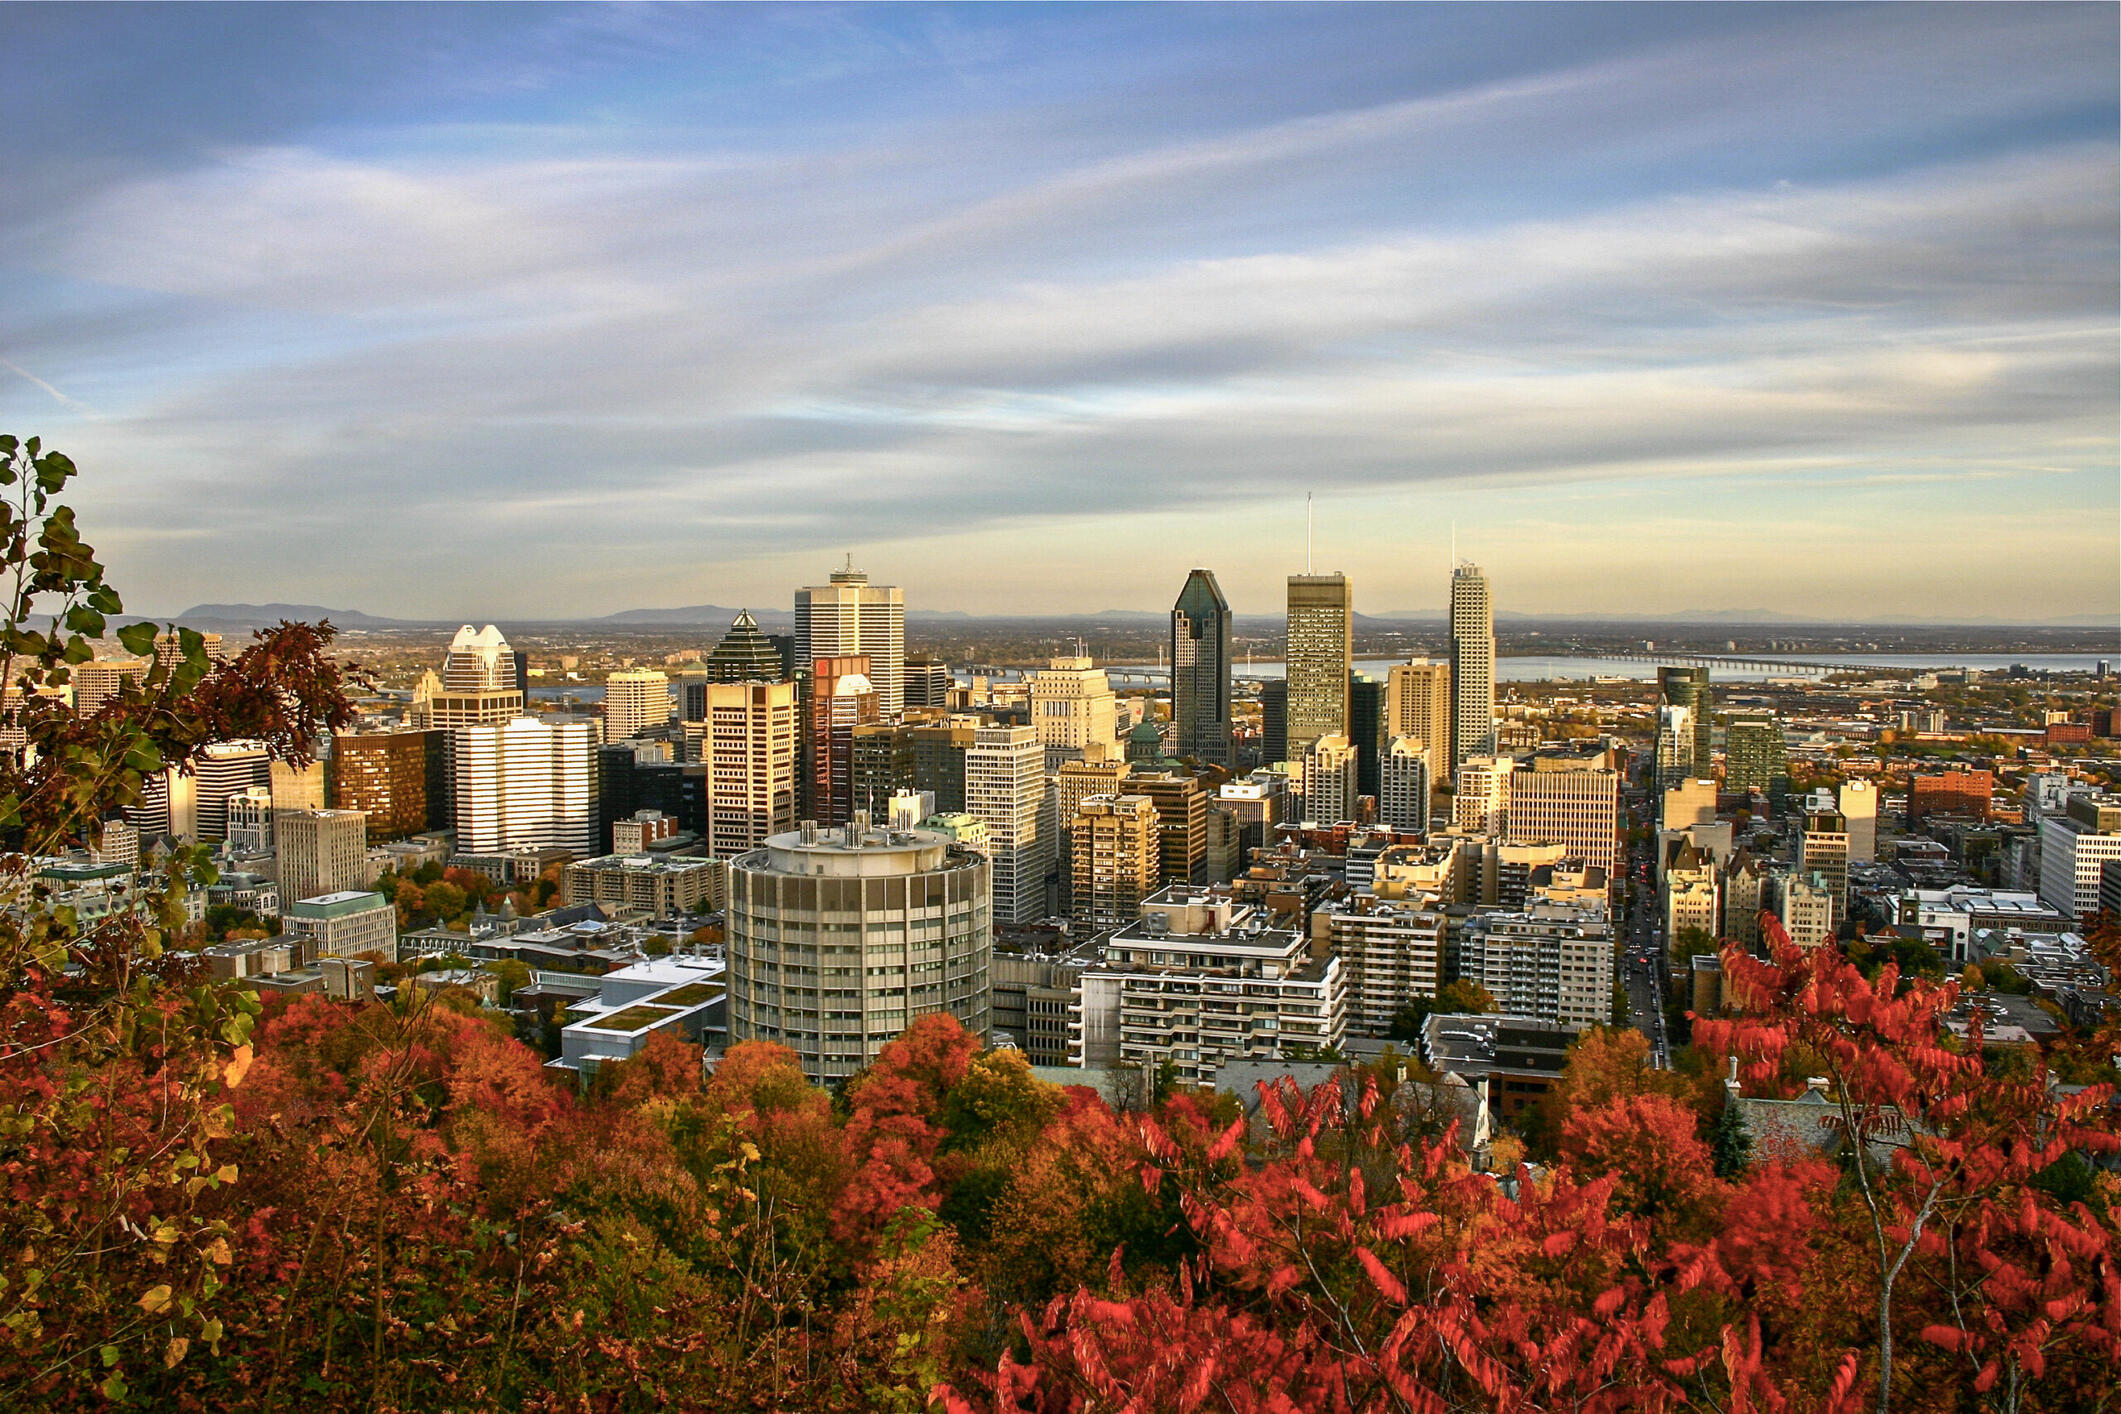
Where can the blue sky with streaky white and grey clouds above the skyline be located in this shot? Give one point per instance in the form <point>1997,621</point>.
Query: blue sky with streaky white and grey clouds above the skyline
<point>457,313</point>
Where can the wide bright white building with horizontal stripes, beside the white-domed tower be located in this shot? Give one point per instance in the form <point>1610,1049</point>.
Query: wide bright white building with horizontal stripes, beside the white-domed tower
<point>527,785</point>
